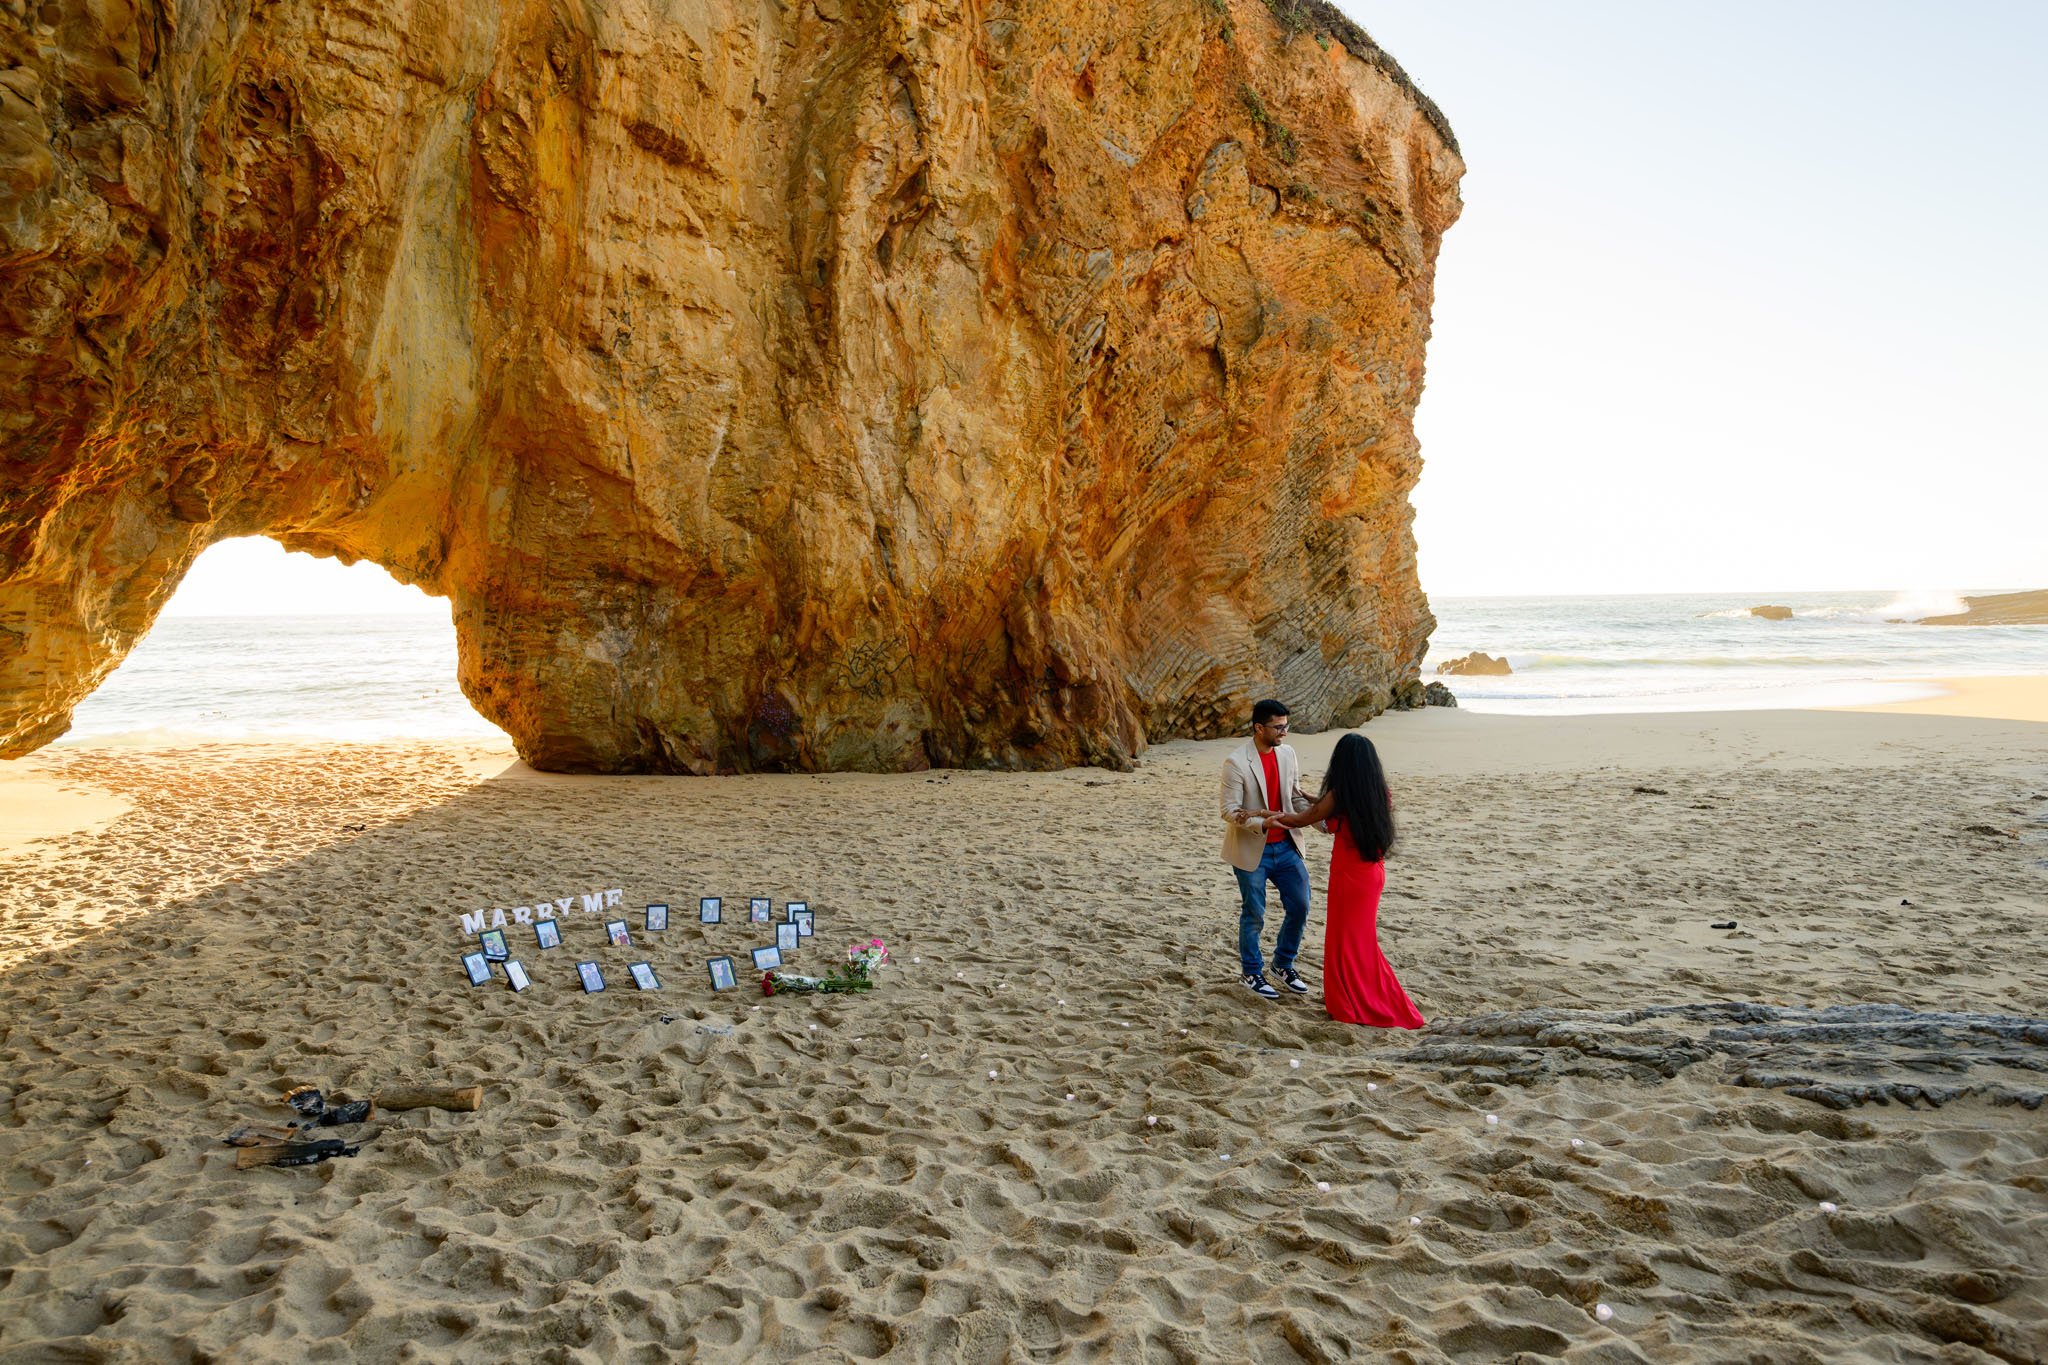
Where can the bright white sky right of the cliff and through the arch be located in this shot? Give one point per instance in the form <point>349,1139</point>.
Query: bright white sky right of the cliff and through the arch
<point>1746,298</point>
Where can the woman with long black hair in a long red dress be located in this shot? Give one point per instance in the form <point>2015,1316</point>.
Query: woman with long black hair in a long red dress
<point>1359,987</point>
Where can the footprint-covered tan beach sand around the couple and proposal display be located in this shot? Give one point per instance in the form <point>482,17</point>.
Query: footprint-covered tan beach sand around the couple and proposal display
<point>693,1176</point>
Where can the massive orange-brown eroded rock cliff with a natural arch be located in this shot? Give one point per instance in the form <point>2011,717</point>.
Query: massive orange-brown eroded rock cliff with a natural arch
<point>812,386</point>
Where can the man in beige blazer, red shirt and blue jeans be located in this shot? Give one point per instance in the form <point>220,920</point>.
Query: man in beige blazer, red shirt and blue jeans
<point>1267,777</point>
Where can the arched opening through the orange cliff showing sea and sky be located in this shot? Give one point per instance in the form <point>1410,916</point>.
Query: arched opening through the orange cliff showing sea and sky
<point>275,646</point>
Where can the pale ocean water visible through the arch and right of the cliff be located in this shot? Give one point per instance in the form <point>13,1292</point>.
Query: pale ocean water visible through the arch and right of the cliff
<point>368,678</point>
